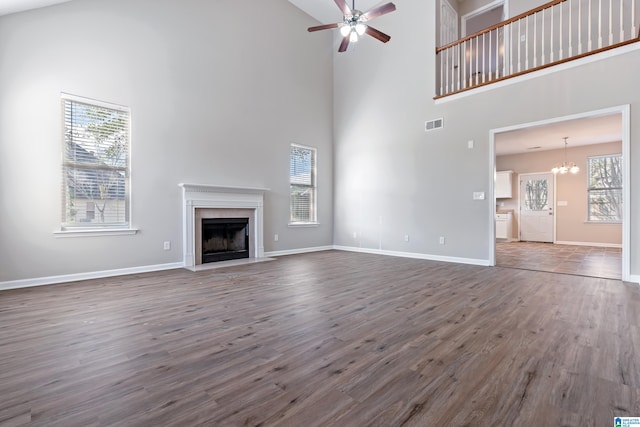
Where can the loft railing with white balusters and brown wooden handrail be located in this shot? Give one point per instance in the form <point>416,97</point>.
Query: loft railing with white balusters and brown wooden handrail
<point>556,32</point>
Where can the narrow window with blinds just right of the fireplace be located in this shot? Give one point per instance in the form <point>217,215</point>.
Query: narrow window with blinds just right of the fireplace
<point>302,185</point>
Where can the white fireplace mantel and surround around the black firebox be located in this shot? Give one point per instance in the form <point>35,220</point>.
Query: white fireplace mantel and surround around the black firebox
<point>213,201</point>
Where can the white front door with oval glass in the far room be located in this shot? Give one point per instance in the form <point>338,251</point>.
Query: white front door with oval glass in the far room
<point>536,207</point>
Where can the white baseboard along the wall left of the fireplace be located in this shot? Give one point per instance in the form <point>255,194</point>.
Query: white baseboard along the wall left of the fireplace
<point>53,280</point>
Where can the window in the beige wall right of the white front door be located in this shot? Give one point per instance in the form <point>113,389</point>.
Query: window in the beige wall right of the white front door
<point>604,188</point>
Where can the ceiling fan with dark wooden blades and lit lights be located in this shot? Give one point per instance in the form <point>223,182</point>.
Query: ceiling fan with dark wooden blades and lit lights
<point>354,23</point>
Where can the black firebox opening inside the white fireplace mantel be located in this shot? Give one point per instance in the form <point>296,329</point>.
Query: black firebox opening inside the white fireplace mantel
<point>224,239</point>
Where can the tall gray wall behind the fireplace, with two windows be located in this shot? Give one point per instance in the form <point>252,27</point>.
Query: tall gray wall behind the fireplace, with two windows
<point>218,91</point>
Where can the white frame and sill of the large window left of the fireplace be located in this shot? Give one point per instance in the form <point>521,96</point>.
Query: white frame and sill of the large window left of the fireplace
<point>72,226</point>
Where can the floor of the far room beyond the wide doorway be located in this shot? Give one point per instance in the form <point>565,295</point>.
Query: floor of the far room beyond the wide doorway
<point>568,259</point>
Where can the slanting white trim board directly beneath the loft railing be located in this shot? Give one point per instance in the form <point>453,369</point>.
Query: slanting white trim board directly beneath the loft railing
<point>543,72</point>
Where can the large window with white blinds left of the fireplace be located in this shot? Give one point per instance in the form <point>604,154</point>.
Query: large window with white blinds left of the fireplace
<point>95,165</point>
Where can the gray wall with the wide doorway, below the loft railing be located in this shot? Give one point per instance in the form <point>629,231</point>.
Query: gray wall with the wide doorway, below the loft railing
<point>421,183</point>
